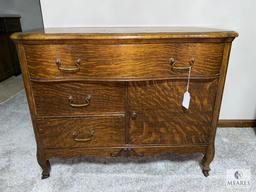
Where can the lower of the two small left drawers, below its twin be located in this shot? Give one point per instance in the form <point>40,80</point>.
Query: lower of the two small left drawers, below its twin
<point>82,132</point>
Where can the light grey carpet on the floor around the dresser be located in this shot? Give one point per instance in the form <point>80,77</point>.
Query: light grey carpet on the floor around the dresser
<point>19,172</point>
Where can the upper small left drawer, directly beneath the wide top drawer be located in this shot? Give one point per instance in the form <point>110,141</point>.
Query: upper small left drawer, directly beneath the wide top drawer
<point>73,98</point>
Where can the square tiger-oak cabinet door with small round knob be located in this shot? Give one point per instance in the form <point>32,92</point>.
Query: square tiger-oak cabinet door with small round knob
<point>156,115</point>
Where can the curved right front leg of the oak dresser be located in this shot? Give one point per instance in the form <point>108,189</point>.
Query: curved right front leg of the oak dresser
<point>207,159</point>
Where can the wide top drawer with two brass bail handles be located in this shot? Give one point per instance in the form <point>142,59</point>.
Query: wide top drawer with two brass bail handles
<point>130,61</point>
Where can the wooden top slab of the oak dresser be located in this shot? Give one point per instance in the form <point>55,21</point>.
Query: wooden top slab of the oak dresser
<point>123,33</point>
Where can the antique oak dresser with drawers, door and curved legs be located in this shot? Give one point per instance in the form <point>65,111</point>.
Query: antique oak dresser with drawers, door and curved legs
<point>119,91</point>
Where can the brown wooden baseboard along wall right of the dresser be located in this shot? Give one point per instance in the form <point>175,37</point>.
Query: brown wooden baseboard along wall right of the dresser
<point>237,123</point>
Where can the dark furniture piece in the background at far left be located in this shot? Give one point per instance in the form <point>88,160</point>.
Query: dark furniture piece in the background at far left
<point>9,63</point>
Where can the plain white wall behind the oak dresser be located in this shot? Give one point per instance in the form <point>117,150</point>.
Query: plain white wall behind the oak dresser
<point>240,92</point>
